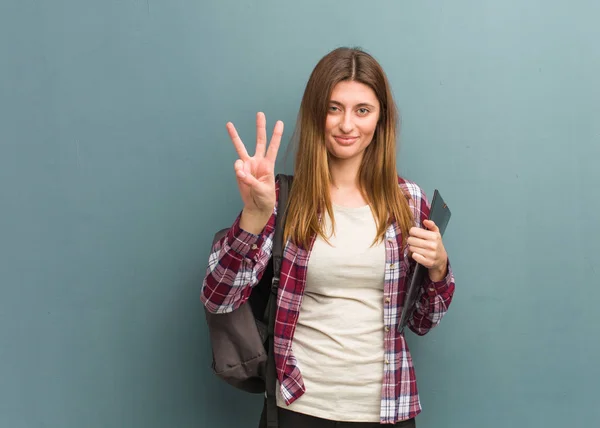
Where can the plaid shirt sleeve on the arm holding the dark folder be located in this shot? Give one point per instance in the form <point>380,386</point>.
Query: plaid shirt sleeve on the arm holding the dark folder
<point>435,297</point>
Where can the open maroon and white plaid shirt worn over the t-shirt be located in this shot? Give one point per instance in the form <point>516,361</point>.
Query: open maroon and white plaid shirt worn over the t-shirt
<point>236,264</point>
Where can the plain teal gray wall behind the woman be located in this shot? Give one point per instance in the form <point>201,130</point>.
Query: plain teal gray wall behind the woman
<point>116,169</point>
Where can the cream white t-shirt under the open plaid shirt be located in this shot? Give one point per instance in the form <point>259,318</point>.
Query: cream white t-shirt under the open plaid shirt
<point>338,340</point>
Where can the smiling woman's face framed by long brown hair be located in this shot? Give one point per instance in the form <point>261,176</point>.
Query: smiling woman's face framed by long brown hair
<point>352,118</point>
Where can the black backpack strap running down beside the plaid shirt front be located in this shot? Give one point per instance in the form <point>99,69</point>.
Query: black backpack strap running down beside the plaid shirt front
<point>285,183</point>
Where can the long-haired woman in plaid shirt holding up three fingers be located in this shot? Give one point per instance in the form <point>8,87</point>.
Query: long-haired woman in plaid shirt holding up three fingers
<point>354,232</point>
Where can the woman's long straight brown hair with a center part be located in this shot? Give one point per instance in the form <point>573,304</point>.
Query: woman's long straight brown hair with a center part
<point>378,179</point>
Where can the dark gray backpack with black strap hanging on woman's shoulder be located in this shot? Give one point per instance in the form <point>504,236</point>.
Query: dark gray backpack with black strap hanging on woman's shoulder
<point>242,340</point>
